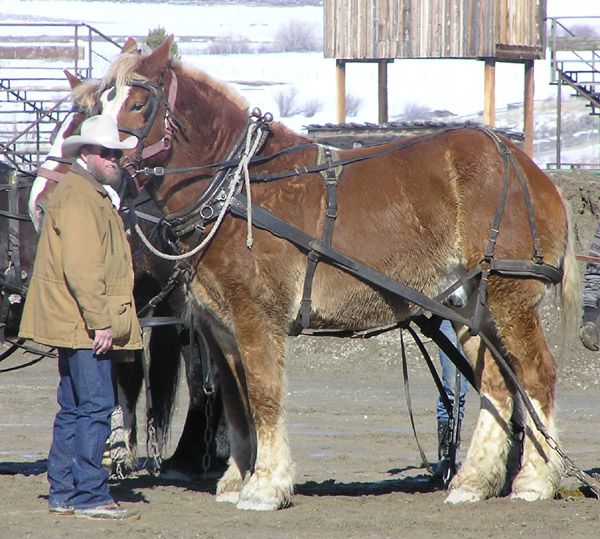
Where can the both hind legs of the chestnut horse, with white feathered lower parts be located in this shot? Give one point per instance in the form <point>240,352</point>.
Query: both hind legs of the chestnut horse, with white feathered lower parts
<point>513,305</point>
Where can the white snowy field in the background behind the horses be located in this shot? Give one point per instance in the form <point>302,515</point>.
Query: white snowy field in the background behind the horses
<point>451,85</point>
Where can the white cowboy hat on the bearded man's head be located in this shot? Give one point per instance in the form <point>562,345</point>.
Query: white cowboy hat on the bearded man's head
<point>100,130</point>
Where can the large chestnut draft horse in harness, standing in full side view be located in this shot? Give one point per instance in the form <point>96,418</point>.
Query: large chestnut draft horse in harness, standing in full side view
<point>386,229</point>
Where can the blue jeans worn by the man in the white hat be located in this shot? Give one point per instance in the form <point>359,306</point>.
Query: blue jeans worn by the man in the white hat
<point>81,427</point>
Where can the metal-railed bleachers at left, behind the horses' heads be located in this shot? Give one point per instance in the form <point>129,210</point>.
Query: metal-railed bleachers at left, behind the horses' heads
<point>33,87</point>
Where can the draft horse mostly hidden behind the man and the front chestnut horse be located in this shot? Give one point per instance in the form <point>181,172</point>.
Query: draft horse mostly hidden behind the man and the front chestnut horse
<point>196,452</point>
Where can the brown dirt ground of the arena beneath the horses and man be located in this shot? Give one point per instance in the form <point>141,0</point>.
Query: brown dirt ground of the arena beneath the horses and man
<point>358,467</point>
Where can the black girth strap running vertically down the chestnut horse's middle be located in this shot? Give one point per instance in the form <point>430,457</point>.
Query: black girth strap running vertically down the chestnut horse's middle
<point>331,176</point>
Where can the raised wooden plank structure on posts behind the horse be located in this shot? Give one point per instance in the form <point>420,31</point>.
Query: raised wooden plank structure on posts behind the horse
<point>489,30</point>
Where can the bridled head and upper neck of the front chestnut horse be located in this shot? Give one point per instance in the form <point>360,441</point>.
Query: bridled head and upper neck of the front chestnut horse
<point>181,116</point>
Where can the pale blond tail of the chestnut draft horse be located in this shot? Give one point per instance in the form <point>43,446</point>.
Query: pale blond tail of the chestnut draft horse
<point>570,286</point>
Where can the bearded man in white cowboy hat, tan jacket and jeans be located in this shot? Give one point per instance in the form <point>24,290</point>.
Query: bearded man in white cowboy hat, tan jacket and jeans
<point>80,300</point>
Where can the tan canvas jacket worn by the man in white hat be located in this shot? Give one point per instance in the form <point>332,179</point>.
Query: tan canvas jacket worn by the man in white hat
<point>83,276</point>
